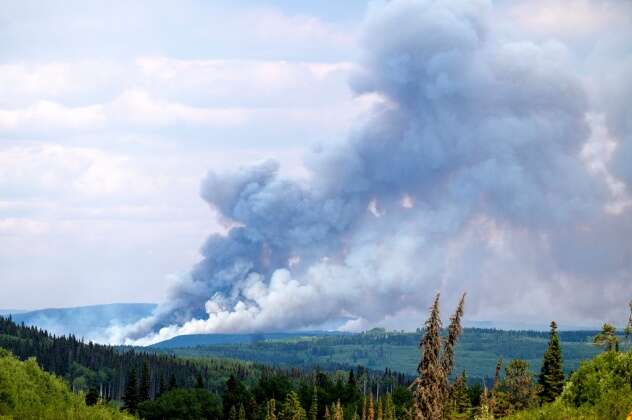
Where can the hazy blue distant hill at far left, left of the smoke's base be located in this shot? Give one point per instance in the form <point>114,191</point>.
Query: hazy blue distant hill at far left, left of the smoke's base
<point>89,322</point>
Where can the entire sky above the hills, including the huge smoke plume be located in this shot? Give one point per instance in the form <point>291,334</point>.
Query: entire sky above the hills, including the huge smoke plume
<point>227,158</point>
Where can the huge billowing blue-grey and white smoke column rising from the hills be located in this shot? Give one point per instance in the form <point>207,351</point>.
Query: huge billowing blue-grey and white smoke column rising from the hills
<point>468,175</point>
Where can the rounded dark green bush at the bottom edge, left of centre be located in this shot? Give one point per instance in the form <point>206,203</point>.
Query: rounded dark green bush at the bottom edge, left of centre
<point>182,404</point>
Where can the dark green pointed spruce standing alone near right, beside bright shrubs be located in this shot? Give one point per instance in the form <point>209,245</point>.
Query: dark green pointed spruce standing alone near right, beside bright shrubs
<point>551,377</point>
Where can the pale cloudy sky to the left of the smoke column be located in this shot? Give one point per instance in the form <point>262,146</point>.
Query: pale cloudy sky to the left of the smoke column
<point>111,114</point>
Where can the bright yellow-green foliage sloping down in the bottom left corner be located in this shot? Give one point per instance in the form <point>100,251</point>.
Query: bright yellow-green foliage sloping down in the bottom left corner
<point>27,392</point>
